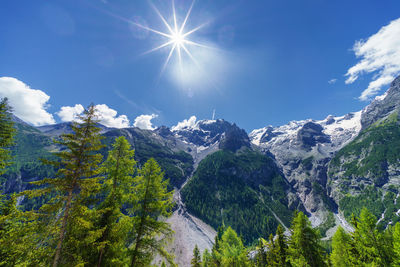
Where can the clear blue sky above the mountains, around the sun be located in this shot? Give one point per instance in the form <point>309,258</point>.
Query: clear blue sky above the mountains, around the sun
<point>270,62</point>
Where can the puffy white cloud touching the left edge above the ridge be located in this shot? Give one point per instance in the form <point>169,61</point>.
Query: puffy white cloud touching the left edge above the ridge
<point>28,104</point>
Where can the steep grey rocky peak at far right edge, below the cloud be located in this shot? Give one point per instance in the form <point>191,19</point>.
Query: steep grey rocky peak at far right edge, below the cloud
<point>382,106</point>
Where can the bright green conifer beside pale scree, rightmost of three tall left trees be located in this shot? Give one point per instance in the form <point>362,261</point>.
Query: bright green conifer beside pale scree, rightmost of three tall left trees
<point>154,201</point>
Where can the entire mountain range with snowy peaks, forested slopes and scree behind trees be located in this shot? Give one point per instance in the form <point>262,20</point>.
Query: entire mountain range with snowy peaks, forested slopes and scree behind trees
<point>327,168</point>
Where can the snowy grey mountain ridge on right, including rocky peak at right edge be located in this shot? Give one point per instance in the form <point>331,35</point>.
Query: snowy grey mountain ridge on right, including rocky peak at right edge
<point>303,149</point>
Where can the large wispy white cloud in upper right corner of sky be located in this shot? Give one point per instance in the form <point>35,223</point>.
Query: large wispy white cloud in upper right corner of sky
<point>379,54</point>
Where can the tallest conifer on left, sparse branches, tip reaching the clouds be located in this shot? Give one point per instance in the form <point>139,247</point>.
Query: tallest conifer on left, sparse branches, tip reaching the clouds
<point>76,183</point>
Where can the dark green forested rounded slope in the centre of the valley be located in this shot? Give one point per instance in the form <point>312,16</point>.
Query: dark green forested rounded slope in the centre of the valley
<point>240,190</point>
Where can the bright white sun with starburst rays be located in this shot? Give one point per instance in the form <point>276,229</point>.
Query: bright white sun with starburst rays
<point>177,37</point>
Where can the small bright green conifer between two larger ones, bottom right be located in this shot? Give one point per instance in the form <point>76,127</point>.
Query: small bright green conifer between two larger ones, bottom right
<point>341,249</point>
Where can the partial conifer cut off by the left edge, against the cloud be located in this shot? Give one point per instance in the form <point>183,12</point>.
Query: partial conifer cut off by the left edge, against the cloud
<point>7,132</point>
